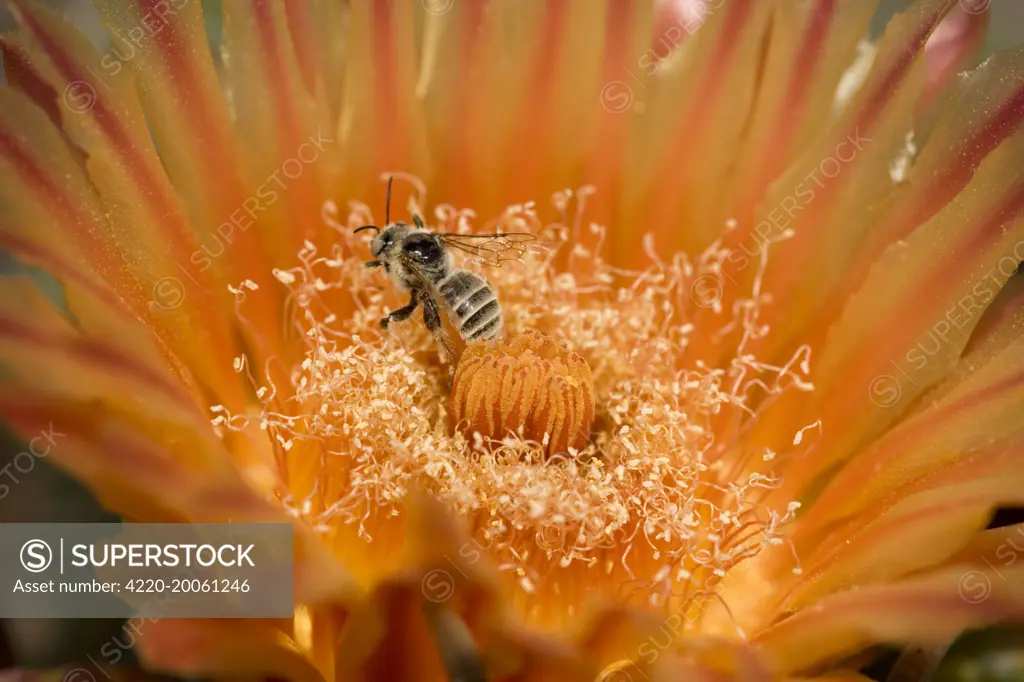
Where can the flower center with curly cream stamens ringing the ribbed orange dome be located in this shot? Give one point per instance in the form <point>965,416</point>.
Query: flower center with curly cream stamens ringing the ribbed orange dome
<point>614,470</point>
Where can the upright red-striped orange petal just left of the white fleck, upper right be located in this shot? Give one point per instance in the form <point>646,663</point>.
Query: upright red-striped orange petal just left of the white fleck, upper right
<point>810,50</point>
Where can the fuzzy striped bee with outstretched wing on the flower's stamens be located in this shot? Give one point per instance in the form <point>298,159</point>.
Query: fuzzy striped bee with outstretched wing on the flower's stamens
<point>420,263</point>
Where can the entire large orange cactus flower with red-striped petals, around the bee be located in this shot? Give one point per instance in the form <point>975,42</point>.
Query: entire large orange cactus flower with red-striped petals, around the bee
<point>785,260</point>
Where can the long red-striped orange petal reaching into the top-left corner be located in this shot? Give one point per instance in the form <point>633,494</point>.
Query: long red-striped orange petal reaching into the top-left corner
<point>149,226</point>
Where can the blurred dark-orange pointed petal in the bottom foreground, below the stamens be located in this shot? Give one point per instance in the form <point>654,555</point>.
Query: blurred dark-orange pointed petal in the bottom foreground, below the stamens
<point>447,603</point>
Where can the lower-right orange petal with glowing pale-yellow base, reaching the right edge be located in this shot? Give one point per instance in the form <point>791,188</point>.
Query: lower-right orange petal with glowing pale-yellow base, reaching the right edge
<point>885,540</point>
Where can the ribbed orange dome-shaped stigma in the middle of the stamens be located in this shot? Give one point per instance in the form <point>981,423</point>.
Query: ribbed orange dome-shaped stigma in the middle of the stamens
<point>531,386</point>
